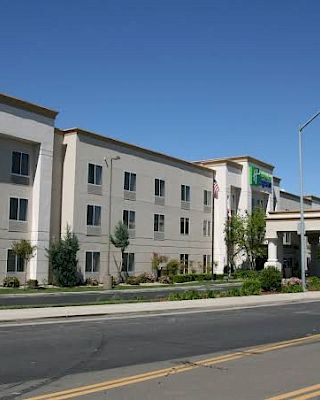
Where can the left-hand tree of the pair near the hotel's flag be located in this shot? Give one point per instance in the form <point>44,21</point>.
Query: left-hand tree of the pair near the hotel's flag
<point>234,238</point>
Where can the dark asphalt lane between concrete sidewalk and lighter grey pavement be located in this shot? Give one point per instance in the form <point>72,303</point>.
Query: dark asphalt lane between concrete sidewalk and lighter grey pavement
<point>36,356</point>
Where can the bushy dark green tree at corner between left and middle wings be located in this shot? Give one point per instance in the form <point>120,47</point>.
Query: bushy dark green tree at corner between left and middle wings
<point>62,256</point>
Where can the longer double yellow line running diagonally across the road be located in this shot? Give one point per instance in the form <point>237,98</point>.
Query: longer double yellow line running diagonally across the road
<point>93,388</point>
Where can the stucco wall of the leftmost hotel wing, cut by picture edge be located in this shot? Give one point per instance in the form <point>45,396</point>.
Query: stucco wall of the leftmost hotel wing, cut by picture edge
<point>29,132</point>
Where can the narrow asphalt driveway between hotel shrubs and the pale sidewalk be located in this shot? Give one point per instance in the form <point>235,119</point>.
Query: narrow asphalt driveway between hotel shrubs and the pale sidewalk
<point>64,298</point>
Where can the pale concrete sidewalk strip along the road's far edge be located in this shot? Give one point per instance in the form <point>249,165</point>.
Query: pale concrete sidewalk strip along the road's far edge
<point>12,315</point>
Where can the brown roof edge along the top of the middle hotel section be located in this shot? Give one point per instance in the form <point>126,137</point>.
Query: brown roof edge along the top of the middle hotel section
<point>133,147</point>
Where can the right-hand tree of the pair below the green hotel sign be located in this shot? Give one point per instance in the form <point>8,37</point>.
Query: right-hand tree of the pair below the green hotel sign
<point>255,230</point>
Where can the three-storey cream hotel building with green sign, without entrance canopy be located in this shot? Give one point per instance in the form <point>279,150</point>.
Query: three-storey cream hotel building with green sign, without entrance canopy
<point>52,178</point>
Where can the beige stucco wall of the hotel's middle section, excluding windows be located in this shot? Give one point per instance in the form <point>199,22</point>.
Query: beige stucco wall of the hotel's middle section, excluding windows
<point>81,150</point>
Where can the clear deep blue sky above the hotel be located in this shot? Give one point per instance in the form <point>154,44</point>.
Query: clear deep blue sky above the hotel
<point>195,79</point>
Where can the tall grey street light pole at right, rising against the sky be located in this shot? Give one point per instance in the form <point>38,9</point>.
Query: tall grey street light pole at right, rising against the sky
<point>302,227</point>
